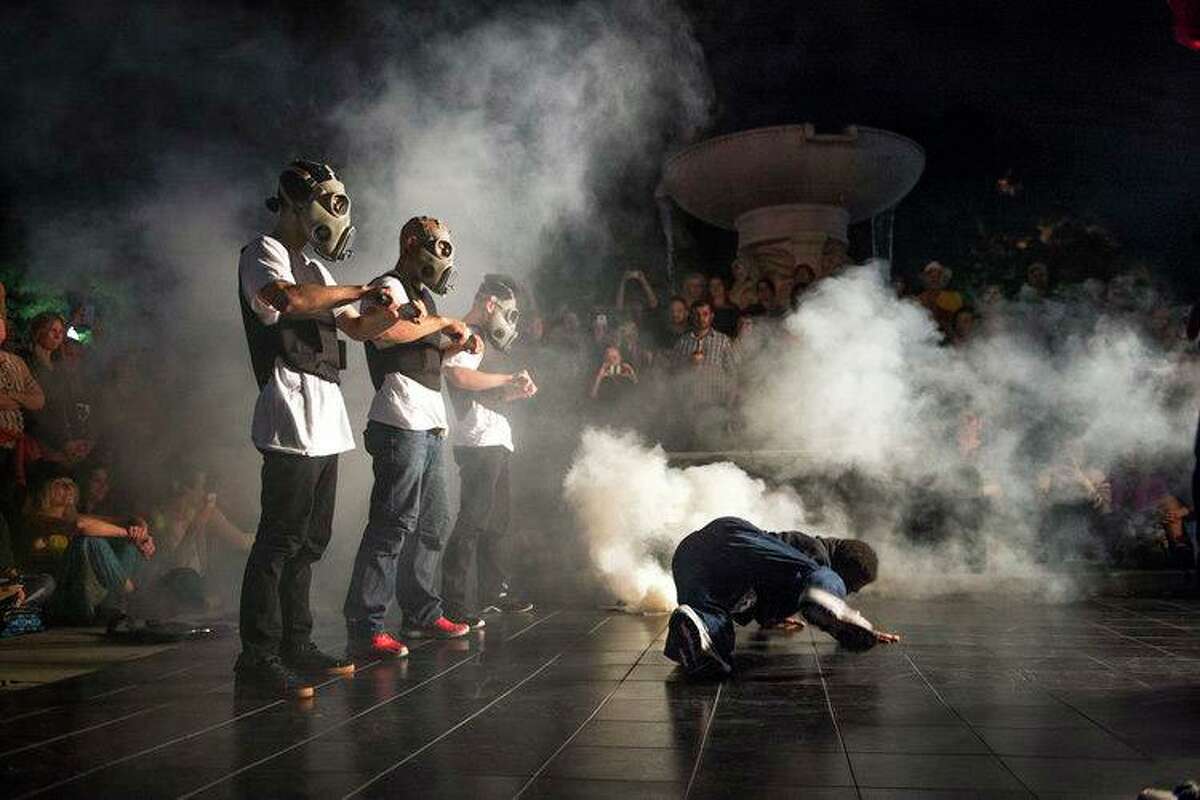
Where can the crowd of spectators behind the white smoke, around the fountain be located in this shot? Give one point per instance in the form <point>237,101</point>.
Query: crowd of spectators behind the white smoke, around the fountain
<point>673,368</point>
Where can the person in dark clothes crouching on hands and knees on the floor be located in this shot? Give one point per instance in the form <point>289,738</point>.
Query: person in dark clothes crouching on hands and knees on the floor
<point>731,567</point>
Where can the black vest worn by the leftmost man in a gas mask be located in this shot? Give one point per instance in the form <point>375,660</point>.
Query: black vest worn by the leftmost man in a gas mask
<point>308,346</point>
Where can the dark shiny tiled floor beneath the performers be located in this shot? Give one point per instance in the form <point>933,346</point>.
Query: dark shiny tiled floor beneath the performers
<point>986,699</point>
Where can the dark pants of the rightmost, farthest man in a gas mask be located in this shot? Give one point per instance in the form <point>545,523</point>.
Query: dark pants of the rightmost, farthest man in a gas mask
<point>483,526</point>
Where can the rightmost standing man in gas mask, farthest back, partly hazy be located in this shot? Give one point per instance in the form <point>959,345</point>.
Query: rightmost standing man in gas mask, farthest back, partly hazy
<point>481,389</point>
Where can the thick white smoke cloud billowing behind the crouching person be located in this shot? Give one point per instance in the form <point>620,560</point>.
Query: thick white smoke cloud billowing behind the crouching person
<point>857,388</point>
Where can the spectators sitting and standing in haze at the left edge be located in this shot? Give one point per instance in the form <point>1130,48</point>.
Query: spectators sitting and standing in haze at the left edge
<point>92,530</point>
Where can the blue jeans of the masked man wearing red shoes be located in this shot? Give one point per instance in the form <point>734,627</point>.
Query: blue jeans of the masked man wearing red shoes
<point>401,549</point>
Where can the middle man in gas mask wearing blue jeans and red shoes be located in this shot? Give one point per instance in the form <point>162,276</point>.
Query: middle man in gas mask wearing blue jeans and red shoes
<point>409,522</point>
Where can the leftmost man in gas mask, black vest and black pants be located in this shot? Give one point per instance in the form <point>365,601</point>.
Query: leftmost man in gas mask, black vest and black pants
<point>292,312</point>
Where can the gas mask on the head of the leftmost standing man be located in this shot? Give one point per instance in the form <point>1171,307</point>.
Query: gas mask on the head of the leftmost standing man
<point>320,200</point>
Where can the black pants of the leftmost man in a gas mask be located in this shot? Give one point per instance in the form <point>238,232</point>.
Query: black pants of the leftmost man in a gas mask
<point>296,526</point>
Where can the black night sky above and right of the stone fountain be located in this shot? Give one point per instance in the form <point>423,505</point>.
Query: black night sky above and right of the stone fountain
<point>1093,105</point>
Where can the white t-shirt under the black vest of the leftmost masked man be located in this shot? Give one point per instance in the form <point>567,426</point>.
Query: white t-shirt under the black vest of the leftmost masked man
<point>296,413</point>
